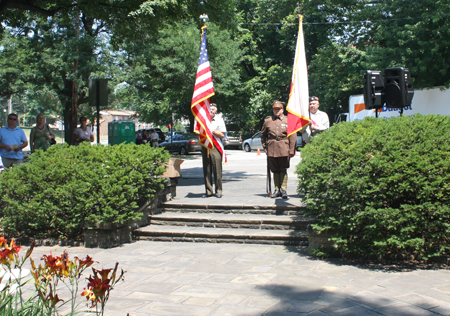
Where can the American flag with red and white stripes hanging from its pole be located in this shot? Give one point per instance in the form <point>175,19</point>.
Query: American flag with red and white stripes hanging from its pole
<point>203,90</point>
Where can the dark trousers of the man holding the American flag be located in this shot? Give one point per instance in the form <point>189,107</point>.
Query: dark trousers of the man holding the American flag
<point>212,164</point>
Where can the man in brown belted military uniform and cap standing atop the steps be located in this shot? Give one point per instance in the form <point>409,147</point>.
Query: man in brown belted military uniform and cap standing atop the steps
<point>278,147</point>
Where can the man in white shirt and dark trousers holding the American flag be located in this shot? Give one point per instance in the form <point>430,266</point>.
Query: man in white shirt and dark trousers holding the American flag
<point>212,159</point>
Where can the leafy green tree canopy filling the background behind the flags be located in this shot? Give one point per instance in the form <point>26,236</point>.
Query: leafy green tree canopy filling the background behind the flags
<point>149,50</point>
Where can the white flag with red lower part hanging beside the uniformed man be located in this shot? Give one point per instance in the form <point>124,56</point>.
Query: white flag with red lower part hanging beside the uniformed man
<point>298,104</point>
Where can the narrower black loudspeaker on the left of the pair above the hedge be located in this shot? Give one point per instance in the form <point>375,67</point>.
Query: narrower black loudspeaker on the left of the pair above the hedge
<point>373,89</point>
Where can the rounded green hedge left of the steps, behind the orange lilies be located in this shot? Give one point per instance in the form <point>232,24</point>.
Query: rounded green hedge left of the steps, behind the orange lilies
<point>58,191</point>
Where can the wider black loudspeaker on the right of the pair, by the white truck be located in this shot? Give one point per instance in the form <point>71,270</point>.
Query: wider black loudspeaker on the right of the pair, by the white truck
<point>398,87</point>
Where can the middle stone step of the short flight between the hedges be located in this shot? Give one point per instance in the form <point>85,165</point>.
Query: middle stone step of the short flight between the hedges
<point>231,220</point>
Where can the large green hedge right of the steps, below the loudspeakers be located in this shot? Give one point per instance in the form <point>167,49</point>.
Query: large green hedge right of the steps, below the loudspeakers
<point>381,186</point>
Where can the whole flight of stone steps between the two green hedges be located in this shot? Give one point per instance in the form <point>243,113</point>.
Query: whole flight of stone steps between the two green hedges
<point>285,225</point>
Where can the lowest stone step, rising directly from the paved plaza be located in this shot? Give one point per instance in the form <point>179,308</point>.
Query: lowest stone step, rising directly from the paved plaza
<point>224,235</point>
